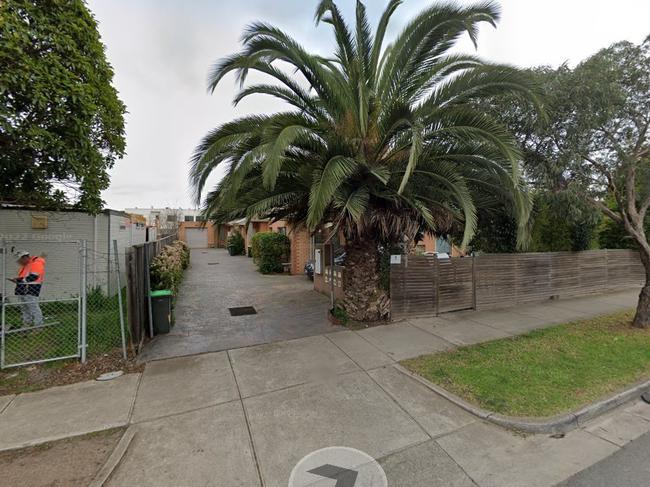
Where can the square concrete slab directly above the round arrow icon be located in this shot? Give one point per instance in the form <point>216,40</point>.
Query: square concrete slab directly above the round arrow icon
<point>349,410</point>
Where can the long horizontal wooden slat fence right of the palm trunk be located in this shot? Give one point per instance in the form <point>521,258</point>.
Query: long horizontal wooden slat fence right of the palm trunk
<point>425,286</point>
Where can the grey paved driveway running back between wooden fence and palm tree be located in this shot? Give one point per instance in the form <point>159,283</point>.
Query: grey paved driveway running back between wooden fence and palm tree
<point>287,307</point>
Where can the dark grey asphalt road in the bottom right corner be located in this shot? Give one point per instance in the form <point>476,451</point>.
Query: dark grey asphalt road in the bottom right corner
<point>629,467</point>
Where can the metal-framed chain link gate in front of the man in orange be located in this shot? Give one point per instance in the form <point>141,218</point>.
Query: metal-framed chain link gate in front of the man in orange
<point>50,326</point>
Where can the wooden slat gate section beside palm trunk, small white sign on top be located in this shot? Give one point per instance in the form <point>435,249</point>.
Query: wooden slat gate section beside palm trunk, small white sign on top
<point>426,286</point>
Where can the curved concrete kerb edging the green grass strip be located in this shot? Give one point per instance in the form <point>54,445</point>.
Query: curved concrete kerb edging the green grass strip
<point>553,425</point>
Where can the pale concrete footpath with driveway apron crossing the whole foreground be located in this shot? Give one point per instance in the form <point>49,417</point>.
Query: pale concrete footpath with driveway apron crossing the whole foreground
<point>248,415</point>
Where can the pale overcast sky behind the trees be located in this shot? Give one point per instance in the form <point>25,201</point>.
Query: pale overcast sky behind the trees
<point>161,51</point>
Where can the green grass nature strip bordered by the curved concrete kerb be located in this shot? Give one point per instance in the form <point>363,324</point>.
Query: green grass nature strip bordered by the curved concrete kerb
<point>545,372</point>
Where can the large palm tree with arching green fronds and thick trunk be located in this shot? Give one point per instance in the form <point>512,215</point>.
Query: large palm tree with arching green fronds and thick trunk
<point>383,142</point>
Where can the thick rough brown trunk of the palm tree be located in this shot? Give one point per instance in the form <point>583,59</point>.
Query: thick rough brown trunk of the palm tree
<point>364,300</point>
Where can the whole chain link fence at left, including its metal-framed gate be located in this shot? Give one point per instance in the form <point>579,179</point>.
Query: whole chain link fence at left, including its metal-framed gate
<point>75,312</point>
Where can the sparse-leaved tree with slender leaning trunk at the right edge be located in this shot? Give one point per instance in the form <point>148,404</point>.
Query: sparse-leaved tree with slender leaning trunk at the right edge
<point>597,143</point>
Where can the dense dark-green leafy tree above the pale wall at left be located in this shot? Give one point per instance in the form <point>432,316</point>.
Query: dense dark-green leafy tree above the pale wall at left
<point>61,121</point>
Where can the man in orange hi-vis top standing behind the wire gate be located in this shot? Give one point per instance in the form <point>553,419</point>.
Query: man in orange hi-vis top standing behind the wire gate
<point>31,273</point>
